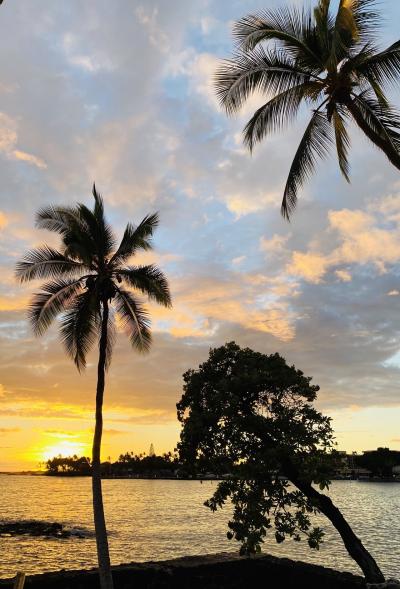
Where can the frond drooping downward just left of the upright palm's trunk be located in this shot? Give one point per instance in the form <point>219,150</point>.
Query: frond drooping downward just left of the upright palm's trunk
<point>80,327</point>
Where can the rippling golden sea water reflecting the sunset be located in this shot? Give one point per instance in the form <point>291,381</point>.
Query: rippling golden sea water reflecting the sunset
<point>157,520</point>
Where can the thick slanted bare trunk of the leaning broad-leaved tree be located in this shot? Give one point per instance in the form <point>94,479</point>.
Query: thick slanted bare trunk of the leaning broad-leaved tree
<point>353,544</point>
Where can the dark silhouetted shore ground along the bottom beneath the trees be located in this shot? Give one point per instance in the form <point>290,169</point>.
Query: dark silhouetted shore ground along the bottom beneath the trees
<point>220,571</point>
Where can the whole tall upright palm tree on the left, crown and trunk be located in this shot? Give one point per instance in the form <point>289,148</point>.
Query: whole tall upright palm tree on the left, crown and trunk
<point>89,282</point>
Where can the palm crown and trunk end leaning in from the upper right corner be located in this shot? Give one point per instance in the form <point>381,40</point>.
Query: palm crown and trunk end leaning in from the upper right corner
<point>329,61</point>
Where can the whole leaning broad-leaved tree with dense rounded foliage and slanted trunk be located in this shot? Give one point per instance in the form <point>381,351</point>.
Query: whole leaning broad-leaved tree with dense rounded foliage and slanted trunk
<point>249,416</point>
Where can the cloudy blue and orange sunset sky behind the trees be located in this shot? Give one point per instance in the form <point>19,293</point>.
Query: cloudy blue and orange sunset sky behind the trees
<point>121,93</point>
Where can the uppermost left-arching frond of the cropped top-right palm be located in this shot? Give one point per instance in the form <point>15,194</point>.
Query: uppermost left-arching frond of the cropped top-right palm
<point>289,26</point>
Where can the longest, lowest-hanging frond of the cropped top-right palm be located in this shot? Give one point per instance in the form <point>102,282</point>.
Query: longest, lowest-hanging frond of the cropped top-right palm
<point>315,143</point>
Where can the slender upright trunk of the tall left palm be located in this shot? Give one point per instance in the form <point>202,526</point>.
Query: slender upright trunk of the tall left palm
<point>103,556</point>
